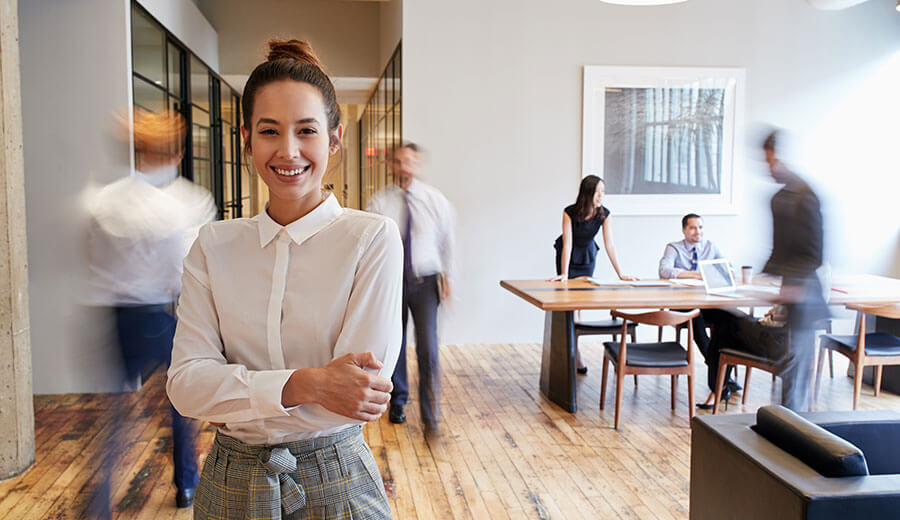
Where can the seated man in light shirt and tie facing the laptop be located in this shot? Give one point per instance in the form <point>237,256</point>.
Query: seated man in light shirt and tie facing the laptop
<point>680,260</point>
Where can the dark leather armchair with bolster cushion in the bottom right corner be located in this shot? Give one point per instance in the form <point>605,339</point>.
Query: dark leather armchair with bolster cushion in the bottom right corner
<point>778,464</point>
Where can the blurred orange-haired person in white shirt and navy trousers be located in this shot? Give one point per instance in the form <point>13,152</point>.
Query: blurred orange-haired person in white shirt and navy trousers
<point>142,227</point>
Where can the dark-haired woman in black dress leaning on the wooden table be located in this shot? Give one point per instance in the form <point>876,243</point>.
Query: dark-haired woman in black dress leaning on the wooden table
<point>576,250</point>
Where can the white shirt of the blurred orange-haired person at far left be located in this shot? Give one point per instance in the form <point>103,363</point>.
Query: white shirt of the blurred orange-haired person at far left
<point>141,228</point>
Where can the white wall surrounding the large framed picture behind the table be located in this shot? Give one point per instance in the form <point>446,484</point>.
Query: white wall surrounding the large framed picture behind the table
<point>493,91</point>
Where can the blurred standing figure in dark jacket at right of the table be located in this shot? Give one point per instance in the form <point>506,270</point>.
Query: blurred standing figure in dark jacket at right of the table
<point>797,236</point>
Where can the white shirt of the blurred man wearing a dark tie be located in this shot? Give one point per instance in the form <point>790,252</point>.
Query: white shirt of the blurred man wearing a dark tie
<point>431,233</point>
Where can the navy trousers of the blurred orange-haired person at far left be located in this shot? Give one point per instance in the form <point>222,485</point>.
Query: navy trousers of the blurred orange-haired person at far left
<point>145,337</point>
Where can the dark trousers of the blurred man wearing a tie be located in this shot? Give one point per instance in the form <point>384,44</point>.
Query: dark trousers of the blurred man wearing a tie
<point>420,298</point>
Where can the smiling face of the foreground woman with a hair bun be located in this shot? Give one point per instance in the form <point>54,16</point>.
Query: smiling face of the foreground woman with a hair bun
<point>289,140</point>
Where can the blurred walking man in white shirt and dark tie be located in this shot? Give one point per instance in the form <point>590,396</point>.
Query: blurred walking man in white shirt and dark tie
<point>425,218</point>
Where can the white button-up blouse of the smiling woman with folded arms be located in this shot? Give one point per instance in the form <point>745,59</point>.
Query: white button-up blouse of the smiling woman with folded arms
<point>260,300</point>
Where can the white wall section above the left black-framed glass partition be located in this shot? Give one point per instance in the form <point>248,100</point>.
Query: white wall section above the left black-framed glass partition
<point>184,20</point>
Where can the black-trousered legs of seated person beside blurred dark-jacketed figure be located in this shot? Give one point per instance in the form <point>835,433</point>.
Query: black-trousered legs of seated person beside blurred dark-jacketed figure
<point>736,330</point>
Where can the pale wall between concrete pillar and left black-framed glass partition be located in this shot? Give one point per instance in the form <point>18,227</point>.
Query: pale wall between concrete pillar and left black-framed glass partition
<point>73,81</point>
